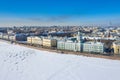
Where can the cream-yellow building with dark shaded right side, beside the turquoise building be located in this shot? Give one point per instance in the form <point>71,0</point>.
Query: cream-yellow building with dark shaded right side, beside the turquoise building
<point>49,42</point>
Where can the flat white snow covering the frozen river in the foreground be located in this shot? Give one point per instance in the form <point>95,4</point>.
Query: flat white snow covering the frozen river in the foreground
<point>21,63</point>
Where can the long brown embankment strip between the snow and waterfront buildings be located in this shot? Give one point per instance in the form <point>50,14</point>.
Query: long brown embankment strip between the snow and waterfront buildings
<point>113,57</point>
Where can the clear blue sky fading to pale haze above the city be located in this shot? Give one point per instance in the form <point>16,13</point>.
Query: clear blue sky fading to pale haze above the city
<point>59,12</point>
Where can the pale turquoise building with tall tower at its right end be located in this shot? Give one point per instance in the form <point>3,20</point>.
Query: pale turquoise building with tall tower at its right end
<point>71,45</point>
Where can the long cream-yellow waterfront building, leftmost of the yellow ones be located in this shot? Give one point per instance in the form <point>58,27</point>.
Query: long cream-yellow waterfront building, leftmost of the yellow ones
<point>34,40</point>
